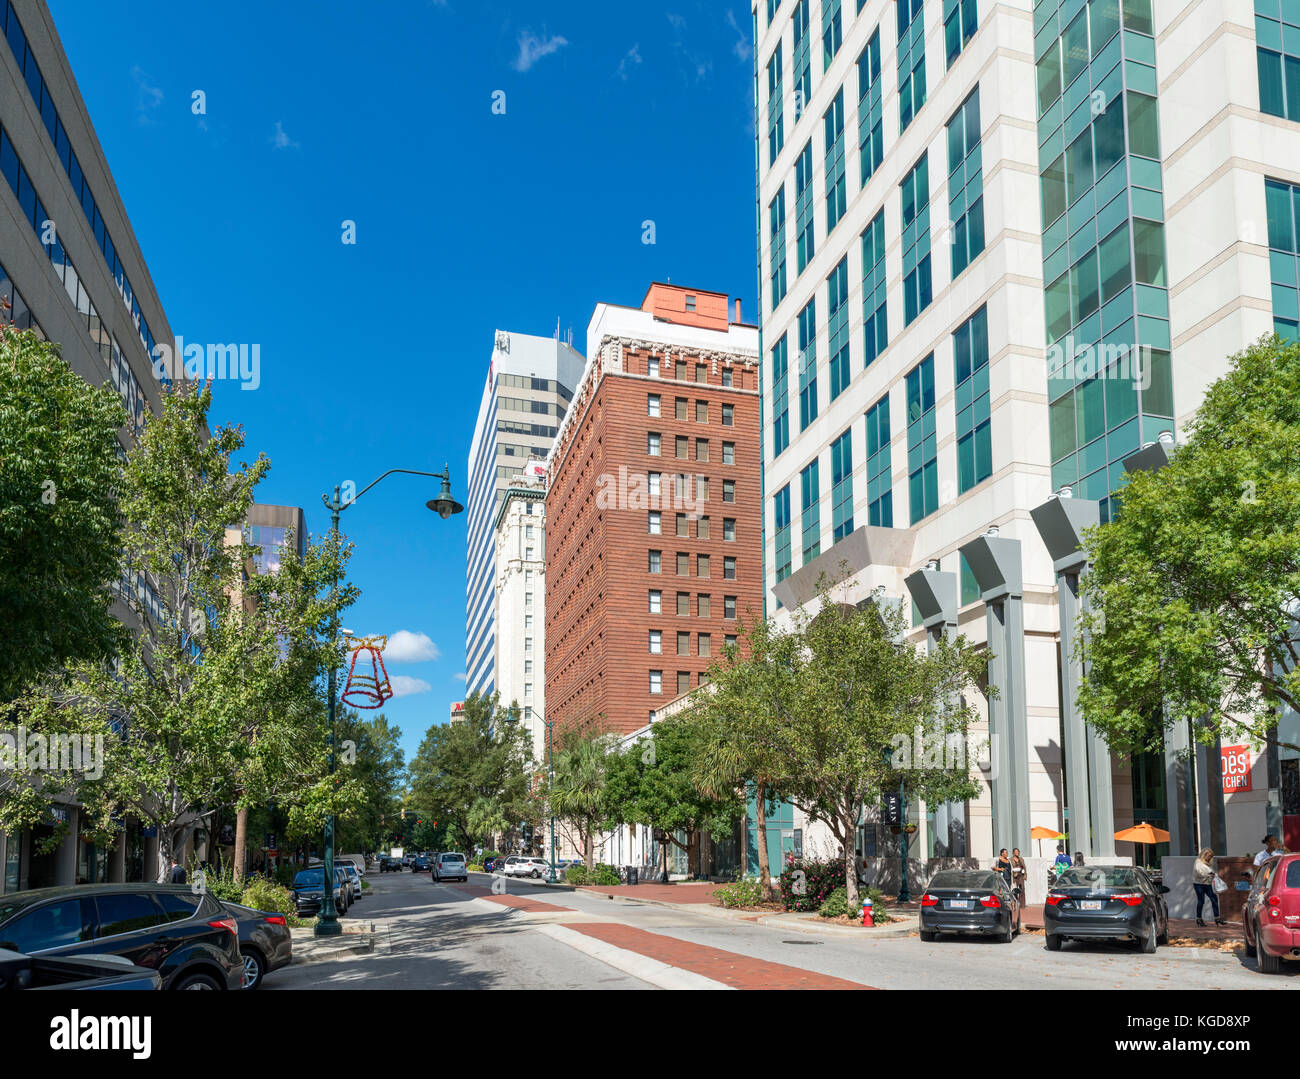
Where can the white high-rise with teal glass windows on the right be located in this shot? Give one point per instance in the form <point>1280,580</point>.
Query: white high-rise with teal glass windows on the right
<point>1006,246</point>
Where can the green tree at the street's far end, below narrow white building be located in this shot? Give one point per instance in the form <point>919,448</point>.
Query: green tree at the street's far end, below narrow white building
<point>475,777</point>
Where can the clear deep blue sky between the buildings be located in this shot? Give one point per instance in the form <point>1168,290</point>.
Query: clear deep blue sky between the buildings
<point>374,356</point>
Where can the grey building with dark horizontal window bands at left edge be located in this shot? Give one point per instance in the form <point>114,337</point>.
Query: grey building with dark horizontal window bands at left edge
<point>71,270</point>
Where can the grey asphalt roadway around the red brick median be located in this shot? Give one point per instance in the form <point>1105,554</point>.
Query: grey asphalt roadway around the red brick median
<point>439,937</point>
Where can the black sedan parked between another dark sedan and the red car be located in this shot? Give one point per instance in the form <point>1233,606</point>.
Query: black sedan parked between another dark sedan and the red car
<point>1106,903</point>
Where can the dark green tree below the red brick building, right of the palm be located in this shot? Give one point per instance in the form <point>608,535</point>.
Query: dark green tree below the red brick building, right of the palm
<point>652,783</point>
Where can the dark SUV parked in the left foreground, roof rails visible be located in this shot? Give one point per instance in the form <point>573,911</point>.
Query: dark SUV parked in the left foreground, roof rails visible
<point>192,941</point>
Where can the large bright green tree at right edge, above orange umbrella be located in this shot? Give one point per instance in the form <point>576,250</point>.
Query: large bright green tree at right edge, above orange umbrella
<point>1195,584</point>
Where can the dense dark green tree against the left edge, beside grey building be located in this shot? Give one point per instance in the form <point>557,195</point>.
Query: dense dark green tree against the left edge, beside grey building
<point>60,543</point>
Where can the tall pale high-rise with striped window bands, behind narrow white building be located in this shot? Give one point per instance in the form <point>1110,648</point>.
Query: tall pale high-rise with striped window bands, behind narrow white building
<point>530,387</point>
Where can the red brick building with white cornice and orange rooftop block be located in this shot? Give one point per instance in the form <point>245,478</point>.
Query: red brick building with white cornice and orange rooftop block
<point>655,509</point>
